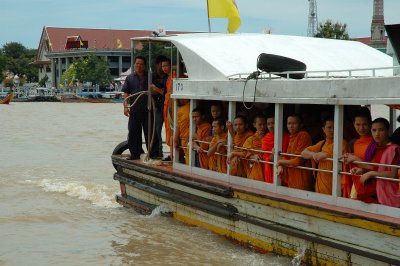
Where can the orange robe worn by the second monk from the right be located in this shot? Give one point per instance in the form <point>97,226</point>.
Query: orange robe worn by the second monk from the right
<point>360,146</point>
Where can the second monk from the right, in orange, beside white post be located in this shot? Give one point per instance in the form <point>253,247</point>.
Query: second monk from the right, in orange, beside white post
<point>362,125</point>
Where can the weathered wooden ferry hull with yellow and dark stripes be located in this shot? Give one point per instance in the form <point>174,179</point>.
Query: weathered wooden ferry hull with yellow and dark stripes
<point>263,221</point>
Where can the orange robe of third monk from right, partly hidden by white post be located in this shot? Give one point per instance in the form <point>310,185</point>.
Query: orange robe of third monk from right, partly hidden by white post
<point>323,181</point>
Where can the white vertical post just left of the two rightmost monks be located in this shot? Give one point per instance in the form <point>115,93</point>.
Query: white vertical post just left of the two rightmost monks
<point>337,152</point>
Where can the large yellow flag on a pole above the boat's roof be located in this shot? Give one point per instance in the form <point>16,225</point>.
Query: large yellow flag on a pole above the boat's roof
<point>225,9</point>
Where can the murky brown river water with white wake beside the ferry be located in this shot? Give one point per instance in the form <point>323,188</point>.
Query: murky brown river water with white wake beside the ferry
<point>57,203</point>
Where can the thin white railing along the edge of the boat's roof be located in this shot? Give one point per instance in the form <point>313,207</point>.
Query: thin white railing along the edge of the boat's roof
<point>340,73</point>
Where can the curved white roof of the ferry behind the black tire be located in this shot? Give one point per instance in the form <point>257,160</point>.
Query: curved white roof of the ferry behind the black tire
<point>219,56</point>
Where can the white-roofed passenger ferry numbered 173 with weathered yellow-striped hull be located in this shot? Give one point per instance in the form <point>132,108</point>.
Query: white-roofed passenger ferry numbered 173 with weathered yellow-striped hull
<point>314,228</point>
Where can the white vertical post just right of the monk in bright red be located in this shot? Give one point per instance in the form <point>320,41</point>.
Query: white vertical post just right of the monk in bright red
<point>278,131</point>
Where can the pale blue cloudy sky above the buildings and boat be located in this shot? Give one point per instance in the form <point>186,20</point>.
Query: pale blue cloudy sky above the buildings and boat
<point>23,20</point>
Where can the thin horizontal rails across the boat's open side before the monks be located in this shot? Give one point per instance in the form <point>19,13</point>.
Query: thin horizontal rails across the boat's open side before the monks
<point>304,167</point>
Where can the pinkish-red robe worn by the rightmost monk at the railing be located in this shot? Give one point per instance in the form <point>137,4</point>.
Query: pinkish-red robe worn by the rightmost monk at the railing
<point>388,192</point>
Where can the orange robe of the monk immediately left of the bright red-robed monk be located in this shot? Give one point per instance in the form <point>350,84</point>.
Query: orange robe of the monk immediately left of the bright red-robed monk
<point>255,169</point>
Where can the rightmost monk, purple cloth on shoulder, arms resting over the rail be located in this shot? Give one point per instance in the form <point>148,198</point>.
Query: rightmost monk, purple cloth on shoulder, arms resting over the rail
<point>366,186</point>
